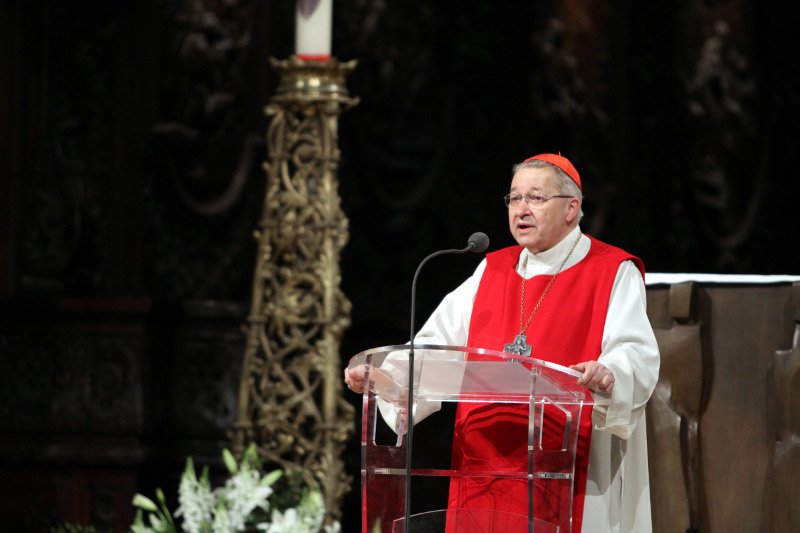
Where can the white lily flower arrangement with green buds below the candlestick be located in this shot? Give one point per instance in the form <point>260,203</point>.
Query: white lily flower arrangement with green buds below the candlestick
<point>241,504</point>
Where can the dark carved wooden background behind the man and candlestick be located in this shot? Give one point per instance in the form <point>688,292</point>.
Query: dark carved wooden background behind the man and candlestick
<point>131,141</point>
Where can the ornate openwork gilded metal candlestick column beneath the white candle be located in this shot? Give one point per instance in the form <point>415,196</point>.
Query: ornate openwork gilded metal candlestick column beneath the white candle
<point>290,400</point>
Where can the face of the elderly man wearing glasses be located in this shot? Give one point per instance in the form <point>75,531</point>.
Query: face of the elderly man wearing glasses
<point>539,228</point>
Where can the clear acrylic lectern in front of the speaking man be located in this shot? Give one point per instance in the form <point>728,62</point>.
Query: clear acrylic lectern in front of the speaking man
<point>462,374</point>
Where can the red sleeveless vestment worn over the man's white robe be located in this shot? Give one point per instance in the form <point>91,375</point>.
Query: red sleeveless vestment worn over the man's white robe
<point>567,329</point>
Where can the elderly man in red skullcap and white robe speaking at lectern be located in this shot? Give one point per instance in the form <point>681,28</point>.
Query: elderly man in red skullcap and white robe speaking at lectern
<point>568,298</point>
